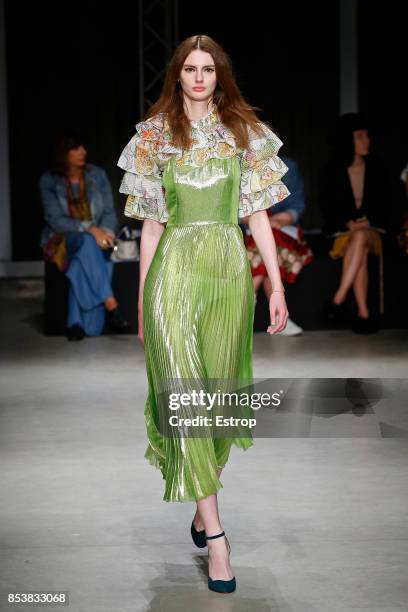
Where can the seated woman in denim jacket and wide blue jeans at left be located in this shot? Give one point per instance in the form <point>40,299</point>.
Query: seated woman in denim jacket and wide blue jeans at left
<point>78,237</point>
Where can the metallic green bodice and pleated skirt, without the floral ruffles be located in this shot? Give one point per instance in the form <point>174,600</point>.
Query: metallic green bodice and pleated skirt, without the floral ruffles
<point>198,309</point>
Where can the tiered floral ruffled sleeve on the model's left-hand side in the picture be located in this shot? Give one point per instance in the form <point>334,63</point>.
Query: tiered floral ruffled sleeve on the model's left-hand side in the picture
<point>142,181</point>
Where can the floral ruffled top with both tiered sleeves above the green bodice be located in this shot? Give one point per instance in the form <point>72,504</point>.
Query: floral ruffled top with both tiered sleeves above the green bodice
<point>146,156</point>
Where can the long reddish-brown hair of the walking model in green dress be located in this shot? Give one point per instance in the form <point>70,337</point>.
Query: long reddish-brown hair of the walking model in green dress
<point>235,113</point>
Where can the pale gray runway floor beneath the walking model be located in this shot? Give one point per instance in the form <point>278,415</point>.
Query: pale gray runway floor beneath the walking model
<point>316,522</point>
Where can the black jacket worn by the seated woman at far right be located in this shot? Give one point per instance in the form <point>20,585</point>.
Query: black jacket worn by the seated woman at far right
<point>337,202</point>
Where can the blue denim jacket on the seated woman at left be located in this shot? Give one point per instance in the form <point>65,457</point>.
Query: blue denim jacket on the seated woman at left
<point>54,200</point>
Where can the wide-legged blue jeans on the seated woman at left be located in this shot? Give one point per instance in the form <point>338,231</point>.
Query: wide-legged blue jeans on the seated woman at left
<point>90,275</point>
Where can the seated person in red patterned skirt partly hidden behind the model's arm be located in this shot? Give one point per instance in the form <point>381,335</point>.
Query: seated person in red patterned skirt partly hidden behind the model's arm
<point>293,251</point>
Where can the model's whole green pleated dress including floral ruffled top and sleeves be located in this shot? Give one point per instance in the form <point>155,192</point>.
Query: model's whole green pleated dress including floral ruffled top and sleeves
<point>198,299</point>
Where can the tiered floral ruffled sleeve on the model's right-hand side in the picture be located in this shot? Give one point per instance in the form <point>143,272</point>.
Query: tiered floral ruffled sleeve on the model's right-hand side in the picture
<point>261,173</point>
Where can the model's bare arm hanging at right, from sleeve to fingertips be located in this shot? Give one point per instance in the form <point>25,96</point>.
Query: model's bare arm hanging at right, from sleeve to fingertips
<point>262,233</point>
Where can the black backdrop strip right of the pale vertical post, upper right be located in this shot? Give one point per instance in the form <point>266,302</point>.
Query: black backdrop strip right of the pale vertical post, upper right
<point>383,90</point>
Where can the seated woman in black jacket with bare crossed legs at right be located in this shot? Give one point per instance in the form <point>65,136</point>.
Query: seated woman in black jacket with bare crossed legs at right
<point>354,200</point>
